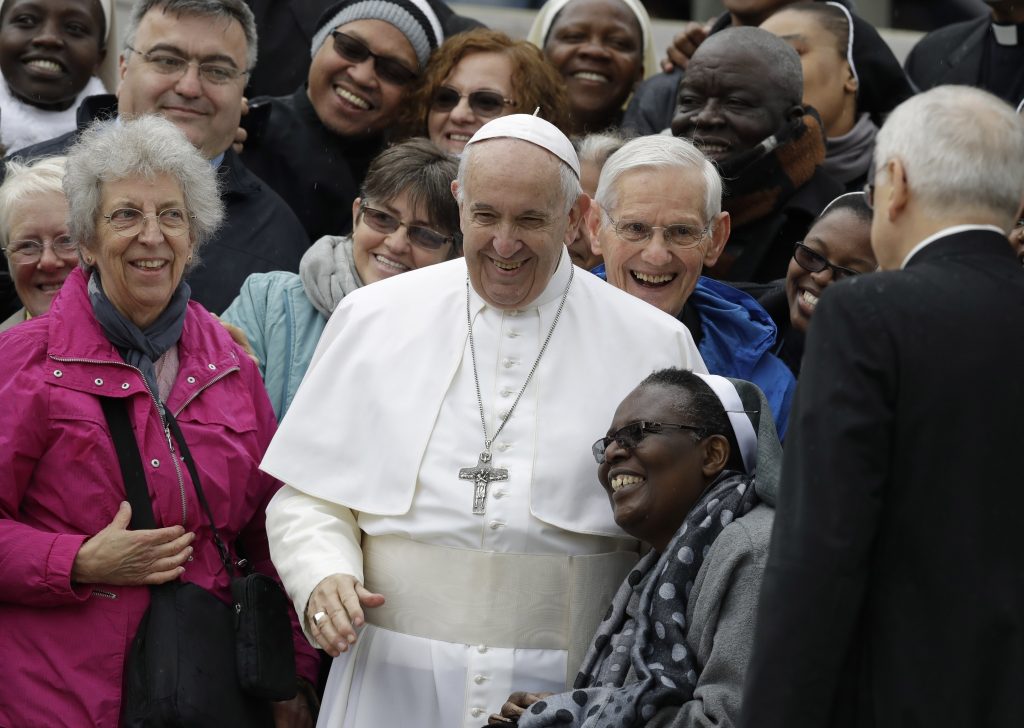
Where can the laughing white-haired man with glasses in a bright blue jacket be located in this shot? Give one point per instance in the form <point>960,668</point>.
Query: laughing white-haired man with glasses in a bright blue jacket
<point>659,224</point>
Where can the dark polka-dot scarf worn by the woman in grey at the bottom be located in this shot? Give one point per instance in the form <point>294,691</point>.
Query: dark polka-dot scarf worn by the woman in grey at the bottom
<point>652,645</point>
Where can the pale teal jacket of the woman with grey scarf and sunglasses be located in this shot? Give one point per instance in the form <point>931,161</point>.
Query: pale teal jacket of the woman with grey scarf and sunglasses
<point>283,327</point>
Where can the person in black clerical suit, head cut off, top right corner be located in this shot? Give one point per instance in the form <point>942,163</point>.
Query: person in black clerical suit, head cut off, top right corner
<point>988,53</point>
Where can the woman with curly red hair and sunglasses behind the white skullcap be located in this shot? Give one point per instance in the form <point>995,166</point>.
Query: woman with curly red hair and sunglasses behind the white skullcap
<point>479,76</point>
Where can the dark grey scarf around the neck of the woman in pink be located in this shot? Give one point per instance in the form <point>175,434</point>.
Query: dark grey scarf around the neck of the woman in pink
<point>141,349</point>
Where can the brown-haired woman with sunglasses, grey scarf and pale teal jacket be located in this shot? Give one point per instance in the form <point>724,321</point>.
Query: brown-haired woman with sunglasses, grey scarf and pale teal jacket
<point>406,219</point>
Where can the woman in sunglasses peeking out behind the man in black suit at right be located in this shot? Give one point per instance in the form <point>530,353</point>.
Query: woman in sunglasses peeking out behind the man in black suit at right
<point>837,247</point>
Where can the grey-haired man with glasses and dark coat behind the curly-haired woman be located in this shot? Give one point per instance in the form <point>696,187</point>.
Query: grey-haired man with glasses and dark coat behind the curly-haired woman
<point>188,61</point>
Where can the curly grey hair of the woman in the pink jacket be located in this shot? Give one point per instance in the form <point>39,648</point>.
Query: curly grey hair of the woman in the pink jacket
<point>146,147</point>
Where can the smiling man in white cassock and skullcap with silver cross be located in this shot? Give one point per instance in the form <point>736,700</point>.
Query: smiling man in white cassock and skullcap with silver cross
<point>441,486</point>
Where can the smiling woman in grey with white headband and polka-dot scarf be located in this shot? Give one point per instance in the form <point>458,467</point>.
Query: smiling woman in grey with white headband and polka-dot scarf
<point>691,466</point>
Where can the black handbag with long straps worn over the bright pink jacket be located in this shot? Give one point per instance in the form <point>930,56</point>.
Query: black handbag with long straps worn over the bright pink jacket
<point>197,662</point>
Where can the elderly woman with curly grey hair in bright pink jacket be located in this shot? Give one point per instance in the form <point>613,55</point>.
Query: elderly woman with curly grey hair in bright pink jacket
<point>74,577</point>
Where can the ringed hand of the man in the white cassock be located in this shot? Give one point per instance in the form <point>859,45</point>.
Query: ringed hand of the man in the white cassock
<point>335,612</point>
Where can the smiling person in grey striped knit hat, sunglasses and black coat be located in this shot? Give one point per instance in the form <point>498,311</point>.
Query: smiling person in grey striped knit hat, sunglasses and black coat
<point>316,146</point>
